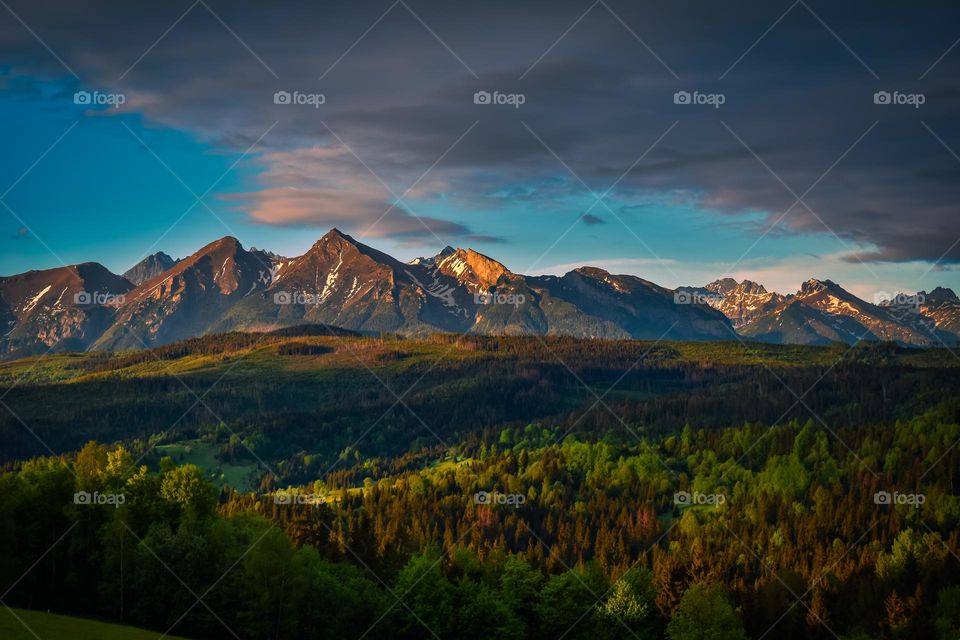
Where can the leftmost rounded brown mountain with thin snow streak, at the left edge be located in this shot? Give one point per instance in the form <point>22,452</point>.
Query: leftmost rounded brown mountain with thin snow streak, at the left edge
<point>62,309</point>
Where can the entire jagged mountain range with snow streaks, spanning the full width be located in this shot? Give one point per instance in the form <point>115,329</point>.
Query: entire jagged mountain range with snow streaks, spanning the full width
<point>343,283</point>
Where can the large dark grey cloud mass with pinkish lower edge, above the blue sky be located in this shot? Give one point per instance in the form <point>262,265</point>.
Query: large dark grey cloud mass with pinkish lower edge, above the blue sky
<point>399,100</point>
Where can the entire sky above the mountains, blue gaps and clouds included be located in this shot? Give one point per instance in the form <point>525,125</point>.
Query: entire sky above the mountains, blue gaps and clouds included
<point>680,142</point>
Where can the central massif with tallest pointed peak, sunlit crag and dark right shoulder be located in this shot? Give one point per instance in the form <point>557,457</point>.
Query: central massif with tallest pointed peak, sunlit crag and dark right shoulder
<point>341,282</point>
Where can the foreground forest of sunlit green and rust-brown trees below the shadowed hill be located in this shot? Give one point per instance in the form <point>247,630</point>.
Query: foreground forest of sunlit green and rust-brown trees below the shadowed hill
<point>732,534</point>
